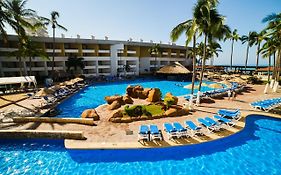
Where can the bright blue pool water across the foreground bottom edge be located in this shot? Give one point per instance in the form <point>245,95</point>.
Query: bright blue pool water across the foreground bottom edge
<point>254,150</point>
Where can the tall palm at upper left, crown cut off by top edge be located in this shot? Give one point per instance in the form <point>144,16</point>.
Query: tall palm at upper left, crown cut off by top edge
<point>18,13</point>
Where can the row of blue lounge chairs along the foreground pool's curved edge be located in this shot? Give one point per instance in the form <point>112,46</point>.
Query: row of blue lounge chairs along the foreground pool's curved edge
<point>176,130</point>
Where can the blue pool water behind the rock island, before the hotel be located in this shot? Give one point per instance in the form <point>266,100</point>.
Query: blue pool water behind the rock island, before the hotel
<point>93,96</point>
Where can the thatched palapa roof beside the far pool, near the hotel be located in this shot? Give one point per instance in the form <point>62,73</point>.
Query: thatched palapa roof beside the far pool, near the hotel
<point>175,68</point>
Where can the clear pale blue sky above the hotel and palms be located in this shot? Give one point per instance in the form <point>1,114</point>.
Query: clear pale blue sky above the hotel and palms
<point>154,20</point>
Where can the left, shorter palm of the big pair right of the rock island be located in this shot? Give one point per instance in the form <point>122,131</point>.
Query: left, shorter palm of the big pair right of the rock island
<point>190,28</point>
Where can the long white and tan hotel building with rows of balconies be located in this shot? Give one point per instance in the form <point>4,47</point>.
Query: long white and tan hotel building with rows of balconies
<point>101,57</point>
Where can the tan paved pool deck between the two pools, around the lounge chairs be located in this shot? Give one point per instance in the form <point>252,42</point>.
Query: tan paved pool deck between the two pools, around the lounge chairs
<point>107,135</point>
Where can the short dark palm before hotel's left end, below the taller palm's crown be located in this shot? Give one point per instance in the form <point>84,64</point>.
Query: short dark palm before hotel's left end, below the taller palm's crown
<point>31,51</point>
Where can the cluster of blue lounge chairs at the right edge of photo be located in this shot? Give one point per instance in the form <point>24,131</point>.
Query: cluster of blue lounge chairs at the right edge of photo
<point>267,105</point>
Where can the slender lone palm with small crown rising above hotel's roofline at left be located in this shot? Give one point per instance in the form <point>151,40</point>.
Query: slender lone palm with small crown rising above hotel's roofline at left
<point>53,21</point>
